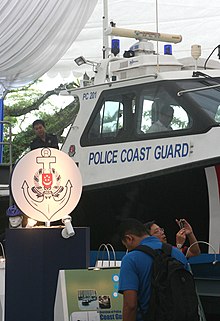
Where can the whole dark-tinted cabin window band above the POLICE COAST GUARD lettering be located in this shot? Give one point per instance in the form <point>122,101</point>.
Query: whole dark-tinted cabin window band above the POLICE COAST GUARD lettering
<point>152,110</point>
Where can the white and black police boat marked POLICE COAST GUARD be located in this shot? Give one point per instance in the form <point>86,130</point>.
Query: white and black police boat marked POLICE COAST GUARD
<point>129,170</point>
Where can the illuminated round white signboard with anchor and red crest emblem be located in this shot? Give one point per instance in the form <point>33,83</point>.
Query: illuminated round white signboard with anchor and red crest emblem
<point>46,184</point>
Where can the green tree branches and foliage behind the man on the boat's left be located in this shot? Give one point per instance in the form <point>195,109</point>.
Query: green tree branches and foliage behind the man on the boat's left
<point>19,104</point>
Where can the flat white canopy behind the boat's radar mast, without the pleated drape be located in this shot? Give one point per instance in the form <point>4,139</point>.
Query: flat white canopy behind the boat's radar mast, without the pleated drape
<point>197,21</point>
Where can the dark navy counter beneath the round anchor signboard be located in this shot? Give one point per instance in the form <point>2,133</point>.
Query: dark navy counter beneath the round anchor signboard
<point>34,258</point>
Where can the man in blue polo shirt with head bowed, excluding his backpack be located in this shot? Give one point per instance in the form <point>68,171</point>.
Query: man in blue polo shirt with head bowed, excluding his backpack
<point>135,272</point>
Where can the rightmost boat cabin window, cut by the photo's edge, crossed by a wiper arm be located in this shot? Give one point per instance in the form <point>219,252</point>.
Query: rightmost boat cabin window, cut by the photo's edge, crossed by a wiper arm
<point>208,100</point>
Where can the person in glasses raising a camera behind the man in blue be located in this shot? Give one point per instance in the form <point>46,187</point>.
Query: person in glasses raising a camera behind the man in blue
<point>185,233</point>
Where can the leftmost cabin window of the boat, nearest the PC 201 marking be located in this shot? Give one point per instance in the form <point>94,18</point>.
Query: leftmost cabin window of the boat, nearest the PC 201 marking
<point>113,118</point>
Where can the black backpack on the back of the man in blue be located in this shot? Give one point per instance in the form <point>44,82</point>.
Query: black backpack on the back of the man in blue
<point>173,293</point>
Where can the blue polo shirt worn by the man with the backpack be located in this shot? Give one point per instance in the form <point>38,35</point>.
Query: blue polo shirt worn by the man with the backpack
<point>135,272</point>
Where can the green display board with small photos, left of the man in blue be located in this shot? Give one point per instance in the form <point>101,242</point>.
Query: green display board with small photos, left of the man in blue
<point>88,295</point>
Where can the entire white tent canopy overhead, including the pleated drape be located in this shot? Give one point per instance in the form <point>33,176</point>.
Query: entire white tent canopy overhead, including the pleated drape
<point>35,35</point>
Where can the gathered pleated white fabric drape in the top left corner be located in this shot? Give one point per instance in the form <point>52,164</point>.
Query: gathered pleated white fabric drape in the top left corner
<point>35,34</point>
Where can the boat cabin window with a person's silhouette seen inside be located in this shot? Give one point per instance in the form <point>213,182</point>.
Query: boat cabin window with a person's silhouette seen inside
<point>161,113</point>
